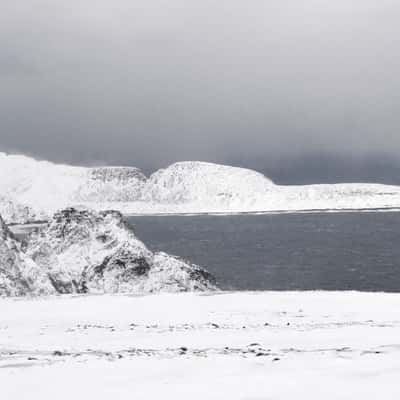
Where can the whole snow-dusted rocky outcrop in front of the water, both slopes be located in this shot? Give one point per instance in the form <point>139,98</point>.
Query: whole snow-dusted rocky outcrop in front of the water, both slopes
<point>82,251</point>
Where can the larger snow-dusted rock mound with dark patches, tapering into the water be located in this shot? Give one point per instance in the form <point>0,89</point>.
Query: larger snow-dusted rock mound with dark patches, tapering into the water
<point>84,251</point>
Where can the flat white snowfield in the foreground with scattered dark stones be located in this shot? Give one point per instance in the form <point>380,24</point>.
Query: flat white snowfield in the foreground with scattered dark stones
<point>267,345</point>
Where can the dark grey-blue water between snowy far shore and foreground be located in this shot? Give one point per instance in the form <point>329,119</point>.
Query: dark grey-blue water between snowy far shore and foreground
<point>340,251</point>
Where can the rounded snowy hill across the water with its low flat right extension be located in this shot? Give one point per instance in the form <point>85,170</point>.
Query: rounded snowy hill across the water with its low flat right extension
<point>204,187</point>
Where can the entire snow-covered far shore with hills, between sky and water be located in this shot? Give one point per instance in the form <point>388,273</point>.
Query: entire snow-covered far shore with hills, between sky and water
<point>31,189</point>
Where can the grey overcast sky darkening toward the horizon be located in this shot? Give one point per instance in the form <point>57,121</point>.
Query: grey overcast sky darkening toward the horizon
<point>285,86</point>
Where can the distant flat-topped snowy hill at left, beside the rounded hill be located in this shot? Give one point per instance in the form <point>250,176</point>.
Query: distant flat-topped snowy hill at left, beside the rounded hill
<point>47,187</point>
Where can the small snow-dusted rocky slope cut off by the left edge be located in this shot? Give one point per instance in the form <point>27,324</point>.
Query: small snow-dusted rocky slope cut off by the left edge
<point>19,275</point>
